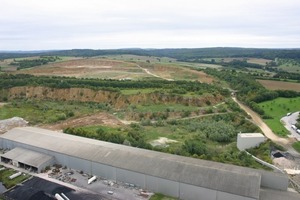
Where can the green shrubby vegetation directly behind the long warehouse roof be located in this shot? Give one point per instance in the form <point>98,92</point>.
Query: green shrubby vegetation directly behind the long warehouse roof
<point>211,138</point>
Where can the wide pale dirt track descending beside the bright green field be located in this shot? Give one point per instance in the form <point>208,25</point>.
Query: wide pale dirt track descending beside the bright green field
<point>285,142</point>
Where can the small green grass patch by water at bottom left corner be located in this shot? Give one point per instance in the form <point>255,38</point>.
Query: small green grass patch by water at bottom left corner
<point>4,178</point>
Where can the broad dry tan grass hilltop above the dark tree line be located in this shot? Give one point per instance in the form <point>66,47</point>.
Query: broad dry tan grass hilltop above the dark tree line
<point>116,69</point>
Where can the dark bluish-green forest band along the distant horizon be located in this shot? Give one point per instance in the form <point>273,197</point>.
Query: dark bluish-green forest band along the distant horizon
<point>180,54</point>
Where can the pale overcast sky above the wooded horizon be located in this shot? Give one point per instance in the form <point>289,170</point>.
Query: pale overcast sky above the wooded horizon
<point>113,24</point>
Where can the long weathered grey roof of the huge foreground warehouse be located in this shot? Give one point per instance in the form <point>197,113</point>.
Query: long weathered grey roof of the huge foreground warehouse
<point>212,175</point>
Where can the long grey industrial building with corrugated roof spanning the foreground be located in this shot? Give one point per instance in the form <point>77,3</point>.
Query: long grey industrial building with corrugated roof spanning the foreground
<point>177,176</point>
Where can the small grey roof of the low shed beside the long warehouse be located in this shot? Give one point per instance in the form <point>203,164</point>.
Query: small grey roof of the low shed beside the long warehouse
<point>27,157</point>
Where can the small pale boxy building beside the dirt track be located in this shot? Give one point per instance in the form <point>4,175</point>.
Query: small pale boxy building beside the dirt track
<point>249,140</point>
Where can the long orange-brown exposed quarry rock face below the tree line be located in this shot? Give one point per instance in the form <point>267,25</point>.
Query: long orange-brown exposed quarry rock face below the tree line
<point>116,99</point>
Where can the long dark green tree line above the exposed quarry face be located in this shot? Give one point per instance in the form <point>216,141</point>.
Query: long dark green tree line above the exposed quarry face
<point>176,87</point>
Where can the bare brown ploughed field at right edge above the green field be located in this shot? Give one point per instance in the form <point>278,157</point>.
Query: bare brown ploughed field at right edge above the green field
<point>280,85</point>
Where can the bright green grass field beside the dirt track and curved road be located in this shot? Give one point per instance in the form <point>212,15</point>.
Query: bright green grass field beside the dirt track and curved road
<point>277,109</point>
